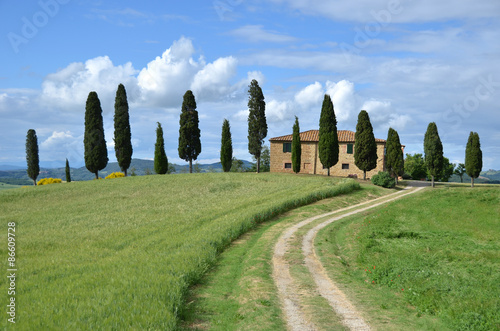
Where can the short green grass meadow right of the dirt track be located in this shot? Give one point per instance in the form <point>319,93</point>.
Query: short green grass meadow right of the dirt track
<point>428,262</point>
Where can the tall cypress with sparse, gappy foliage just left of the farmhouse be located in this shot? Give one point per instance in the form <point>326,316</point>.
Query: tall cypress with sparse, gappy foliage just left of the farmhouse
<point>257,124</point>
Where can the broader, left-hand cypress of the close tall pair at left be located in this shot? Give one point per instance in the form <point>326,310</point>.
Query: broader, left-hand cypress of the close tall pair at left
<point>96,153</point>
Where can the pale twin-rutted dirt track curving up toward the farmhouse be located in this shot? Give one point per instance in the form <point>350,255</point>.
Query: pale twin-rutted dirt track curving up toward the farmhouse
<point>288,288</point>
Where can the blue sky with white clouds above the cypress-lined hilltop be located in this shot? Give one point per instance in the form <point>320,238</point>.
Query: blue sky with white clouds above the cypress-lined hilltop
<point>406,62</point>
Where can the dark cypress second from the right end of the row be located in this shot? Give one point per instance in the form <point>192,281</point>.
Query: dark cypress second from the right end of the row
<point>433,149</point>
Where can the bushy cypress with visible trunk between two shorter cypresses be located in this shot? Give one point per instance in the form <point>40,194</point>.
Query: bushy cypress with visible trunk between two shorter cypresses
<point>189,132</point>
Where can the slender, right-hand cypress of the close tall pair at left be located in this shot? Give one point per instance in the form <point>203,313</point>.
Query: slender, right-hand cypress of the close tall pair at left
<point>123,144</point>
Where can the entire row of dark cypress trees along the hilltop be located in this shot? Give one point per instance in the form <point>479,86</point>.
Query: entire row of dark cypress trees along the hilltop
<point>365,153</point>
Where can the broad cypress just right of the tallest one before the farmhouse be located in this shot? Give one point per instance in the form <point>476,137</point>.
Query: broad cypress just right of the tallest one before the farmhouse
<point>365,147</point>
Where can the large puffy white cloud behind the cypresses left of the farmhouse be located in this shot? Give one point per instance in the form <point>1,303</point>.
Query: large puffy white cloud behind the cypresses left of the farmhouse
<point>162,83</point>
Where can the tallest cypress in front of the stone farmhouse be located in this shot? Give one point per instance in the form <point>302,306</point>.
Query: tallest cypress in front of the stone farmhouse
<point>328,145</point>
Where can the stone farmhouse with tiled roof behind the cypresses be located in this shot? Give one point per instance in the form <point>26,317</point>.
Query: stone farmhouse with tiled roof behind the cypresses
<point>281,155</point>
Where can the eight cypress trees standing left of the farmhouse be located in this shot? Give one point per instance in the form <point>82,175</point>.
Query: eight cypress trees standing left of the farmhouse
<point>189,147</point>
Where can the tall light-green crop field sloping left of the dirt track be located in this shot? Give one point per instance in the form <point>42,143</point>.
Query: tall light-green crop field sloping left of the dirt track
<point>121,253</point>
